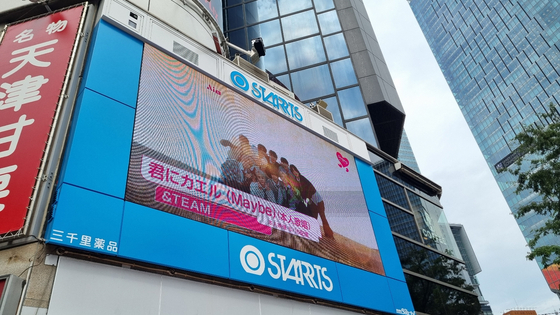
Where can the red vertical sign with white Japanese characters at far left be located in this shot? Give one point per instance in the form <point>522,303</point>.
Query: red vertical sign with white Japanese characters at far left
<point>35,56</point>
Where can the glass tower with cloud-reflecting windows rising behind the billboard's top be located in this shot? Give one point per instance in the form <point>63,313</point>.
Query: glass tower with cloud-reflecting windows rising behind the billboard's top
<point>325,50</point>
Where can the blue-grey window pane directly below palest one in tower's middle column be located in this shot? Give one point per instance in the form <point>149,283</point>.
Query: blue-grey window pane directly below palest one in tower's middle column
<point>312,83</point>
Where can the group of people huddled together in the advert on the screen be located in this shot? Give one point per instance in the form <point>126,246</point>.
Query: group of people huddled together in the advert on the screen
<point>258,171</point>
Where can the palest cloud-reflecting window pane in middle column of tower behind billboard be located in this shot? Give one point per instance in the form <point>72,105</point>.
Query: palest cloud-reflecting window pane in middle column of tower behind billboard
<point>305,52</point>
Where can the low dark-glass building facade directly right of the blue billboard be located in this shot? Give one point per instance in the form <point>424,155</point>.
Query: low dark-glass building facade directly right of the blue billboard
<point>434,269</point>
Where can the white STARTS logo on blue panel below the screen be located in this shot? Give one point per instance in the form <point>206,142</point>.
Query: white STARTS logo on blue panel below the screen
<point>302,272</point>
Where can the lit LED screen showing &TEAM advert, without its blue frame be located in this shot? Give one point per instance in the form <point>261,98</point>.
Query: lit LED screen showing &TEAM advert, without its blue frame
<point>202,151</point>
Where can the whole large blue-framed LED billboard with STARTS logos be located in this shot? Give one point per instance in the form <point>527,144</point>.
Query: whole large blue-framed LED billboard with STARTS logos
<point>168,166</point>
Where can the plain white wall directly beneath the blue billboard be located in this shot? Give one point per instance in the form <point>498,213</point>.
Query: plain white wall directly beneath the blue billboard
<point>86,288</point>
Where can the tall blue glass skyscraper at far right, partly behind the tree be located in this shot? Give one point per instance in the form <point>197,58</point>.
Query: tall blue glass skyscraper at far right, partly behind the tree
<point>501,60</point>
